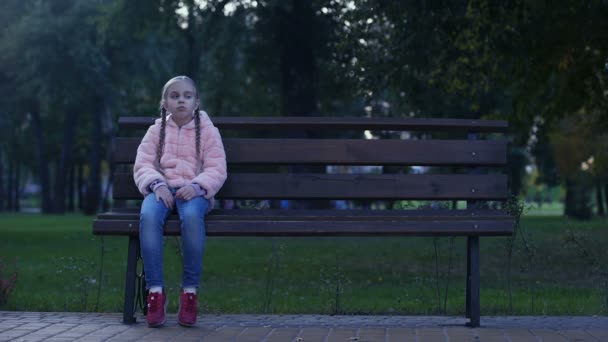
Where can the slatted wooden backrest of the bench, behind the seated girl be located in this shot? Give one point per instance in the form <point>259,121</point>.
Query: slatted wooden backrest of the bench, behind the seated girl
<point>465,154</point>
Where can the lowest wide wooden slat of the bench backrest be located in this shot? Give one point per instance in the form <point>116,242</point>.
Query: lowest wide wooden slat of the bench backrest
<point>347,186</point>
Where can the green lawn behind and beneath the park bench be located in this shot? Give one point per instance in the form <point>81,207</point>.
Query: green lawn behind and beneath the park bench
<point>58,261</point>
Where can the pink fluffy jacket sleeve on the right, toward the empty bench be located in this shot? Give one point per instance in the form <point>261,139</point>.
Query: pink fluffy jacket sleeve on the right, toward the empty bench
<point>214,163</point>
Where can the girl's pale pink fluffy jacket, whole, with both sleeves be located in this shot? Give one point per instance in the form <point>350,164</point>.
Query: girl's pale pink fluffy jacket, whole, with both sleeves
<point>179,163</point>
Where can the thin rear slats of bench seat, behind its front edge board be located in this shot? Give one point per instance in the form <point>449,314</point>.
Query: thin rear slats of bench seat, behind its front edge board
<point>329,215</point>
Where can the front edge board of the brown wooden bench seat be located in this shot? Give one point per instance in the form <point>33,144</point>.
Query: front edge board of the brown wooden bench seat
<point>294,227</point>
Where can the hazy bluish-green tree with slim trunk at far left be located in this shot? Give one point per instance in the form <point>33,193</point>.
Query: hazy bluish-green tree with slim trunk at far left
<point>53,60</point>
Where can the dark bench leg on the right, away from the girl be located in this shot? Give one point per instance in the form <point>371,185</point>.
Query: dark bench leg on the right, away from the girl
<point>472,298</point>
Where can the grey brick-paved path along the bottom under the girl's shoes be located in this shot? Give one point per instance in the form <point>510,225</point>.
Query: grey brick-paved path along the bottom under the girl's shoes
<point>70,326</point>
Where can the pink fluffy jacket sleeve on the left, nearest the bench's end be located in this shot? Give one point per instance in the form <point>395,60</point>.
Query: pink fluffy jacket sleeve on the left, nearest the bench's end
<point>144,170</point>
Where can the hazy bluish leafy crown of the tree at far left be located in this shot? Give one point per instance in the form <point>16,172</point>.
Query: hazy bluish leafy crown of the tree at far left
<point>50,52</point>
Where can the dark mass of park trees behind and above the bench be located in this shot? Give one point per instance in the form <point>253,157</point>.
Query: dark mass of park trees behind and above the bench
<point>69,68</point>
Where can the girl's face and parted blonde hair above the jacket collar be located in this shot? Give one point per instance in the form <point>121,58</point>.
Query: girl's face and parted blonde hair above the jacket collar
<point>181,101</point>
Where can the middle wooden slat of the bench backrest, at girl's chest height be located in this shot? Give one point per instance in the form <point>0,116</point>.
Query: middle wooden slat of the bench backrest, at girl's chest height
<point>348,151</point>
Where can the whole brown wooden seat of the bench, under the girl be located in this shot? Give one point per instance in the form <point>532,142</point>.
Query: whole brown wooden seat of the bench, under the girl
<point>246,222</point>
